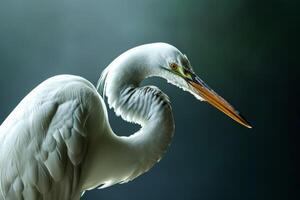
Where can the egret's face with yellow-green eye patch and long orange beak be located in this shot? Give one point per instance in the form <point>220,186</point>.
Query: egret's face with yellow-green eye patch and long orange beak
<point>177,70</point>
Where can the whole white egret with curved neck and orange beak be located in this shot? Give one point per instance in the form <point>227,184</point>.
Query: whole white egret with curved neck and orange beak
<point>58,142</point>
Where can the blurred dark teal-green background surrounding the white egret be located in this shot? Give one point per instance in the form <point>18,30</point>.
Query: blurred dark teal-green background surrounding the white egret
<point>246,50</point>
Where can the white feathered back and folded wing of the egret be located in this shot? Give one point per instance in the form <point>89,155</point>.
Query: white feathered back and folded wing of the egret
<point>43,142</point>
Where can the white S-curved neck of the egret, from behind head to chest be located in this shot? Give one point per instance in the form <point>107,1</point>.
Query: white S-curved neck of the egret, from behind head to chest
<point>147,106</point>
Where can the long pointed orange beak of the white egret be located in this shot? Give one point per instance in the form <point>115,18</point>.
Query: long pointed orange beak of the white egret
<point>201,89</point>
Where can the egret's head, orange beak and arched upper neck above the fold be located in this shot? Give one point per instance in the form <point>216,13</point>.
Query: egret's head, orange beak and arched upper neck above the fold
<point>166,61</point>
